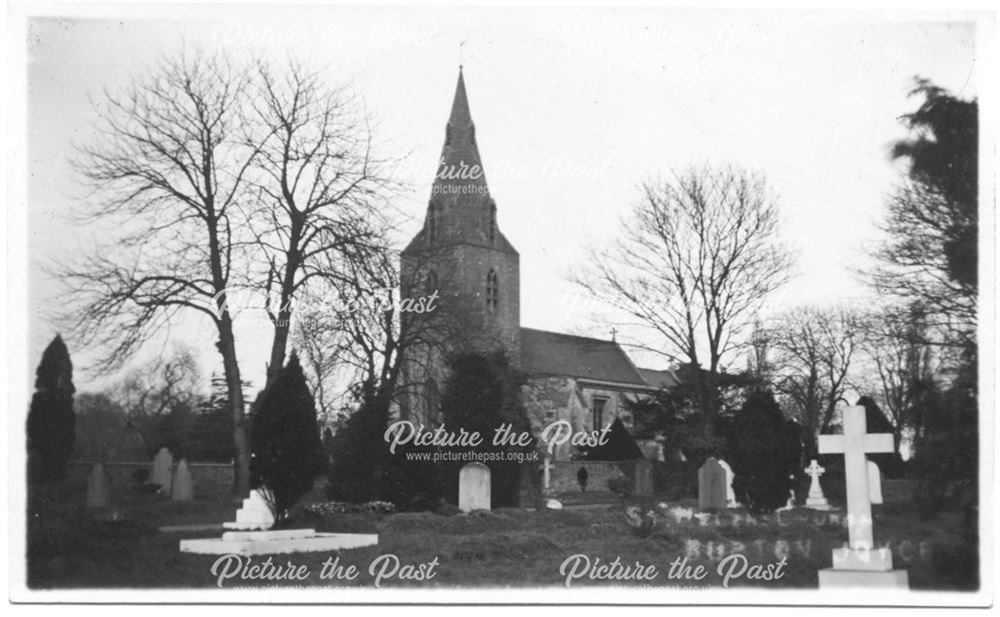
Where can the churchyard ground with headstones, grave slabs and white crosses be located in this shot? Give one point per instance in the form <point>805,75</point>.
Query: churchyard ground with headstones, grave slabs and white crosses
<point>139,539</point>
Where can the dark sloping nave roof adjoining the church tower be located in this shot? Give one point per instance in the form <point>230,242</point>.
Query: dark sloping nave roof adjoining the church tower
<point>554,353</point>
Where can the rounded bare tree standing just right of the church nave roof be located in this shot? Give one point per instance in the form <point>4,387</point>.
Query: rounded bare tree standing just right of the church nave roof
<point>696,259</point>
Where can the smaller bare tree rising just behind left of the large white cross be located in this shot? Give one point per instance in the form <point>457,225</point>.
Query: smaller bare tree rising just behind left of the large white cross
<point>815,350</point>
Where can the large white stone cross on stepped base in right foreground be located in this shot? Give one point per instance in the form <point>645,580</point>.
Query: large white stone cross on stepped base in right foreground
<point>860,564</point>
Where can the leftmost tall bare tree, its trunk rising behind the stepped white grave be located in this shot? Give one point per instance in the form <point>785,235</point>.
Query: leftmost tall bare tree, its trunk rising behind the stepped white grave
<point>167,173</point>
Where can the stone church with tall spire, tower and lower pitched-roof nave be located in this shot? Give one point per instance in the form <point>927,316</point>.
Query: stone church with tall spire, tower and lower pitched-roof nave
<point>461,253</point>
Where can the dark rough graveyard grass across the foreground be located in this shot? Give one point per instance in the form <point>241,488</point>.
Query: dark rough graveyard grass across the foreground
<point>69,547</point>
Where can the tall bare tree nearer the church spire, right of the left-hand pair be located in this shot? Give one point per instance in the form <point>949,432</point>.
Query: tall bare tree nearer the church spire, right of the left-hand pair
<point>322,196</point>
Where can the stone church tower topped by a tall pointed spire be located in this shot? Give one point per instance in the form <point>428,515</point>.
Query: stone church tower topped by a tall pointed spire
<point>461,253</point>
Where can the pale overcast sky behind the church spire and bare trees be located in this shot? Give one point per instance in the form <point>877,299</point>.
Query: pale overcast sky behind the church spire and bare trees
<point>572,109</point>
